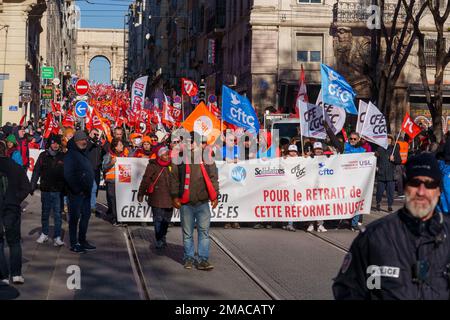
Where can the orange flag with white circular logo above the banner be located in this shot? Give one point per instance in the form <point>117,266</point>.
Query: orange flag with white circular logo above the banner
<point>203,121</point>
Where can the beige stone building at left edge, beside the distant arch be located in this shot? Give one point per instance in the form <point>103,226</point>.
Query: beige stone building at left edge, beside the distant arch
<point>33,33</point>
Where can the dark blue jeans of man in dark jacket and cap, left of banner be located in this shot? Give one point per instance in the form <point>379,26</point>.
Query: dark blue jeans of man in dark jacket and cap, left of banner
<point>79,211</point>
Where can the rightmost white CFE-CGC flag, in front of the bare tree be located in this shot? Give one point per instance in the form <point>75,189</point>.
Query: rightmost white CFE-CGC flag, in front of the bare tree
<point>375,128</point>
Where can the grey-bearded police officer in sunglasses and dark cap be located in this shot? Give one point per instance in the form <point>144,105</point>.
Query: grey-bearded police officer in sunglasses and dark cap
<point>405,255</point>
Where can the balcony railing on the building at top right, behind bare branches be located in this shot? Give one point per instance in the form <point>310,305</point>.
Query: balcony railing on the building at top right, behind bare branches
<point>358,12</point>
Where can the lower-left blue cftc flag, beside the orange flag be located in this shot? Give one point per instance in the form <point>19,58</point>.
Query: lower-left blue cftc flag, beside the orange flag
<point>237,110</point>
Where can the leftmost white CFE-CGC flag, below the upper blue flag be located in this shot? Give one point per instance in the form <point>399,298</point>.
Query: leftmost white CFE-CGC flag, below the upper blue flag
<point>311,120</point>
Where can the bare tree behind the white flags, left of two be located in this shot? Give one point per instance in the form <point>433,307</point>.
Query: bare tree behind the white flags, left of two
<point>398,37</point>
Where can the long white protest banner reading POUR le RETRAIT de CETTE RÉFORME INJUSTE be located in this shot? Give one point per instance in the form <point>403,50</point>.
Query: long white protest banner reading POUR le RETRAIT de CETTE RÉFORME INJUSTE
<point>291,189</point>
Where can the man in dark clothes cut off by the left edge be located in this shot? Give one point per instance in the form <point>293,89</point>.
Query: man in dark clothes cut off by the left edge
<point>14,188</point>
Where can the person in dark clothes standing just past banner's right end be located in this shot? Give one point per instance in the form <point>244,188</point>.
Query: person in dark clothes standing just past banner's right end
<point>387,160</point>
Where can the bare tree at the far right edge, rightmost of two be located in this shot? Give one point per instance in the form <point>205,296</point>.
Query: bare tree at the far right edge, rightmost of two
<point>441,60</point>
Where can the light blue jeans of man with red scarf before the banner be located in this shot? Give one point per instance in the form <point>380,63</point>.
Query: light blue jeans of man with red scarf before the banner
<point>190,216</point>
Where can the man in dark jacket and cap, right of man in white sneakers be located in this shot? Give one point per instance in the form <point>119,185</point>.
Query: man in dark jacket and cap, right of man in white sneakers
<point>79,177</point>
